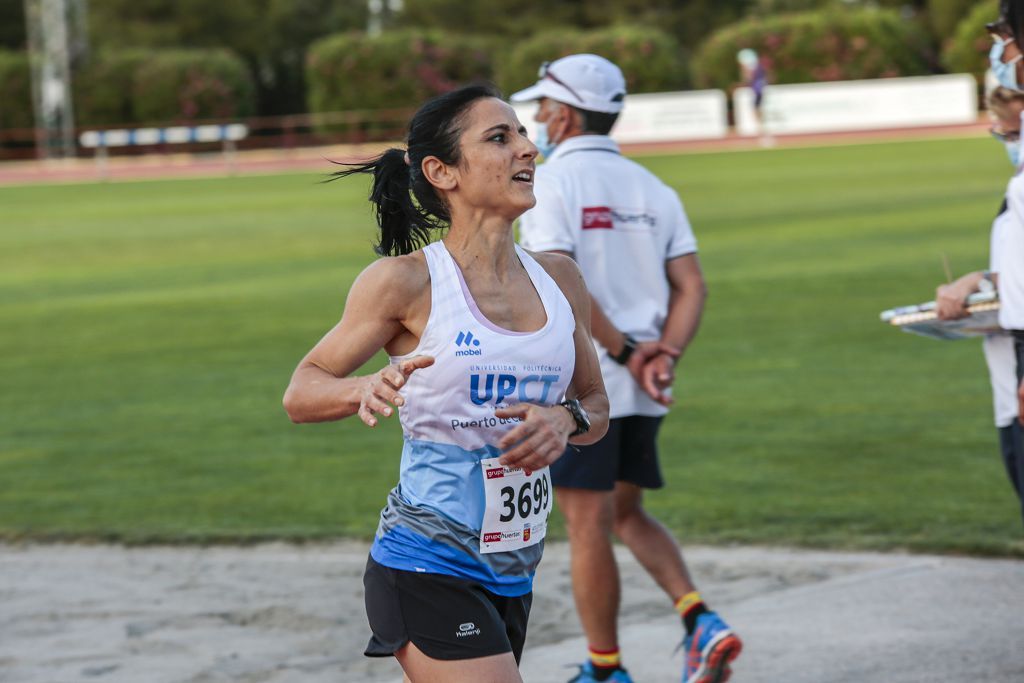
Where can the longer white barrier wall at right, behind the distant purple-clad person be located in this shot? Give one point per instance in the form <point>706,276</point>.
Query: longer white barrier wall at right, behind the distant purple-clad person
<point>891,103</point>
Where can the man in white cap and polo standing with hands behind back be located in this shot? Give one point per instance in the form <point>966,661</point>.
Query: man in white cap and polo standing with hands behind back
<point>631,238</point>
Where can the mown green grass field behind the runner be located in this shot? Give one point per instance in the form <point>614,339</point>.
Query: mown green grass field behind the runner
<point>149,331</point>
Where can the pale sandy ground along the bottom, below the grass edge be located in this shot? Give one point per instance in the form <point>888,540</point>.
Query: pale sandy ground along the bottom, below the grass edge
<point>280,614</point>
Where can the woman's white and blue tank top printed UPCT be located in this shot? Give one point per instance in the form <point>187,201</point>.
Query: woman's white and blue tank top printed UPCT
<point>433,521</point>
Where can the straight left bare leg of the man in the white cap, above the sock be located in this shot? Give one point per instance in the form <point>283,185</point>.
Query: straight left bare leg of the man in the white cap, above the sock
<point>589,517</point>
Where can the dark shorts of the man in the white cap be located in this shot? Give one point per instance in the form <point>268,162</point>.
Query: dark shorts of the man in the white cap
<point>628,453</point>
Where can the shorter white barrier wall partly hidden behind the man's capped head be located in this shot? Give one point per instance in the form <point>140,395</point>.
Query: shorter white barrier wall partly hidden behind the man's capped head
<point>659,117</point>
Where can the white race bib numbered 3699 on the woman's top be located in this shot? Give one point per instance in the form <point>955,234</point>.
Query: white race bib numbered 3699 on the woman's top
<point>518,507</point>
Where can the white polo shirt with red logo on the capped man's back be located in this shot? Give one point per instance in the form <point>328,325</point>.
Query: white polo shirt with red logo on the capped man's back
<point>621,224</point>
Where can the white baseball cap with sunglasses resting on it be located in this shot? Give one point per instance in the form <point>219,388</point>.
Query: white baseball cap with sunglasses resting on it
<point>586,81</point>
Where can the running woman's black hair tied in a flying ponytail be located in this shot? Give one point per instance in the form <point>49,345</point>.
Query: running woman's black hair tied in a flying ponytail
<point>407,205</point>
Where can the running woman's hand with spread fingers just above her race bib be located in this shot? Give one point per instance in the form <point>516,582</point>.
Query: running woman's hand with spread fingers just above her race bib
<point>541,438</point>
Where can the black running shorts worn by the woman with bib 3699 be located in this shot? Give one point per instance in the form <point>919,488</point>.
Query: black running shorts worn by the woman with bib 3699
<point>447,618</point>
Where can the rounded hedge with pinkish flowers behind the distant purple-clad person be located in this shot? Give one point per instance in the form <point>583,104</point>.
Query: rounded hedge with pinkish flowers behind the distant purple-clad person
<point>834,45</point>
